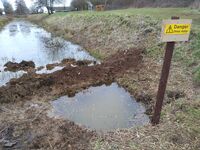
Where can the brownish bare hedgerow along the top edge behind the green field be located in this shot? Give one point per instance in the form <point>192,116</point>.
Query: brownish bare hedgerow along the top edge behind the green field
<point>113,4</point>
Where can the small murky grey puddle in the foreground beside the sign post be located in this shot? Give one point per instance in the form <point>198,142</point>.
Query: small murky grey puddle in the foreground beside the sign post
<point>103,108</point>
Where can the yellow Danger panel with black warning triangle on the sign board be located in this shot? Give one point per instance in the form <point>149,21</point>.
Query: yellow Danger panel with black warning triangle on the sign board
<point>177,28</point>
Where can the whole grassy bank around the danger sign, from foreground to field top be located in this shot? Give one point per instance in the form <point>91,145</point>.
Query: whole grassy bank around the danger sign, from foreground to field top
<point>105,33</point>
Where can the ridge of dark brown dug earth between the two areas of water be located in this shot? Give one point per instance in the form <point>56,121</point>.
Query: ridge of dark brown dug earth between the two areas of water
<point>70,80</point>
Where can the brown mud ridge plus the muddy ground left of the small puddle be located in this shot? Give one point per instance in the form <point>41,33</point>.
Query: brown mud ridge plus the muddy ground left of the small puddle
<point>24,103</point>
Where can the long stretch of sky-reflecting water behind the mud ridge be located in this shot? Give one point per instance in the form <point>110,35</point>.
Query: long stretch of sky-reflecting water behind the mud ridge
<point>21,40</point>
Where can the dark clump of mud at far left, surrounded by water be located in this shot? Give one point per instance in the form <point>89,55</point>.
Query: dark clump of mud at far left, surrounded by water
<point>24,65</point>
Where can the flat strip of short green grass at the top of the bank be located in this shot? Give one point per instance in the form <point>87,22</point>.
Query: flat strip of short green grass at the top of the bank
<point>160,13</point>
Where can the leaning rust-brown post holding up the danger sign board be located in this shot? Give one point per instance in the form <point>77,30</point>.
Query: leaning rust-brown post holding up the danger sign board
<point>163,80</point>
